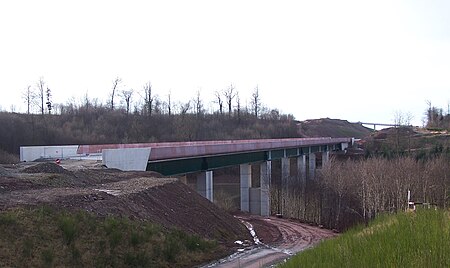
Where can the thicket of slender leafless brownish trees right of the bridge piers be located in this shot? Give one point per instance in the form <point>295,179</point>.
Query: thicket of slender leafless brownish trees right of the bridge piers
<point>346,192</point>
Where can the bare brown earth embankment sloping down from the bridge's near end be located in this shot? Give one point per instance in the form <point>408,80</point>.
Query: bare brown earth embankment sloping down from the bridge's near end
<point>136,195</point>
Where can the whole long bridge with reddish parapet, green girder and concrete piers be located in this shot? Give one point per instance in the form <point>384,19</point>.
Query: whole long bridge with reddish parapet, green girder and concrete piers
<point>203,157</point>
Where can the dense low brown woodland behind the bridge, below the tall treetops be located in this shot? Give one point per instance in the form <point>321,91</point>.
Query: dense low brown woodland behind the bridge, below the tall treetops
<point>90,123</point>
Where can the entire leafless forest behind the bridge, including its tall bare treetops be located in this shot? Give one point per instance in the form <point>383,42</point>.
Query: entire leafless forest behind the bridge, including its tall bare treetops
<point>129,116</point>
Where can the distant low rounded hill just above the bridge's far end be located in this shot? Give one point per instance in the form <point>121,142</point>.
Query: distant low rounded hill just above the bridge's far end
<point>334,128</point>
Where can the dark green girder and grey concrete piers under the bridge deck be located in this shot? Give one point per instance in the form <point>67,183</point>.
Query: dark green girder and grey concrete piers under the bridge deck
<point>255,200</point>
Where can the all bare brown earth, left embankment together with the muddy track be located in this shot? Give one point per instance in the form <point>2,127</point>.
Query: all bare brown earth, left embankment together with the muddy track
<point>87,185</point>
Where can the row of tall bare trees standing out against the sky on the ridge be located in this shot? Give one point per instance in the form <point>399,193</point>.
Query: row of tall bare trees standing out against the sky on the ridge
<point>145,101</point>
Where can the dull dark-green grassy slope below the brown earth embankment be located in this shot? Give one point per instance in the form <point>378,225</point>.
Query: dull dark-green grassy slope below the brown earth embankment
<point>46,237</point>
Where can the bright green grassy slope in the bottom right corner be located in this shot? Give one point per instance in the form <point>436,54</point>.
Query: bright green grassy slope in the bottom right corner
<point>412,239</point>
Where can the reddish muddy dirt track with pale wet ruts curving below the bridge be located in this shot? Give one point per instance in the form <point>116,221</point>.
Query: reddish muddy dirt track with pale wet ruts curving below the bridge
<point>278,240</point>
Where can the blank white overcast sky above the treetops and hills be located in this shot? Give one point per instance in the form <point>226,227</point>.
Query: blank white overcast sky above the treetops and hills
<point>354,60</point>
